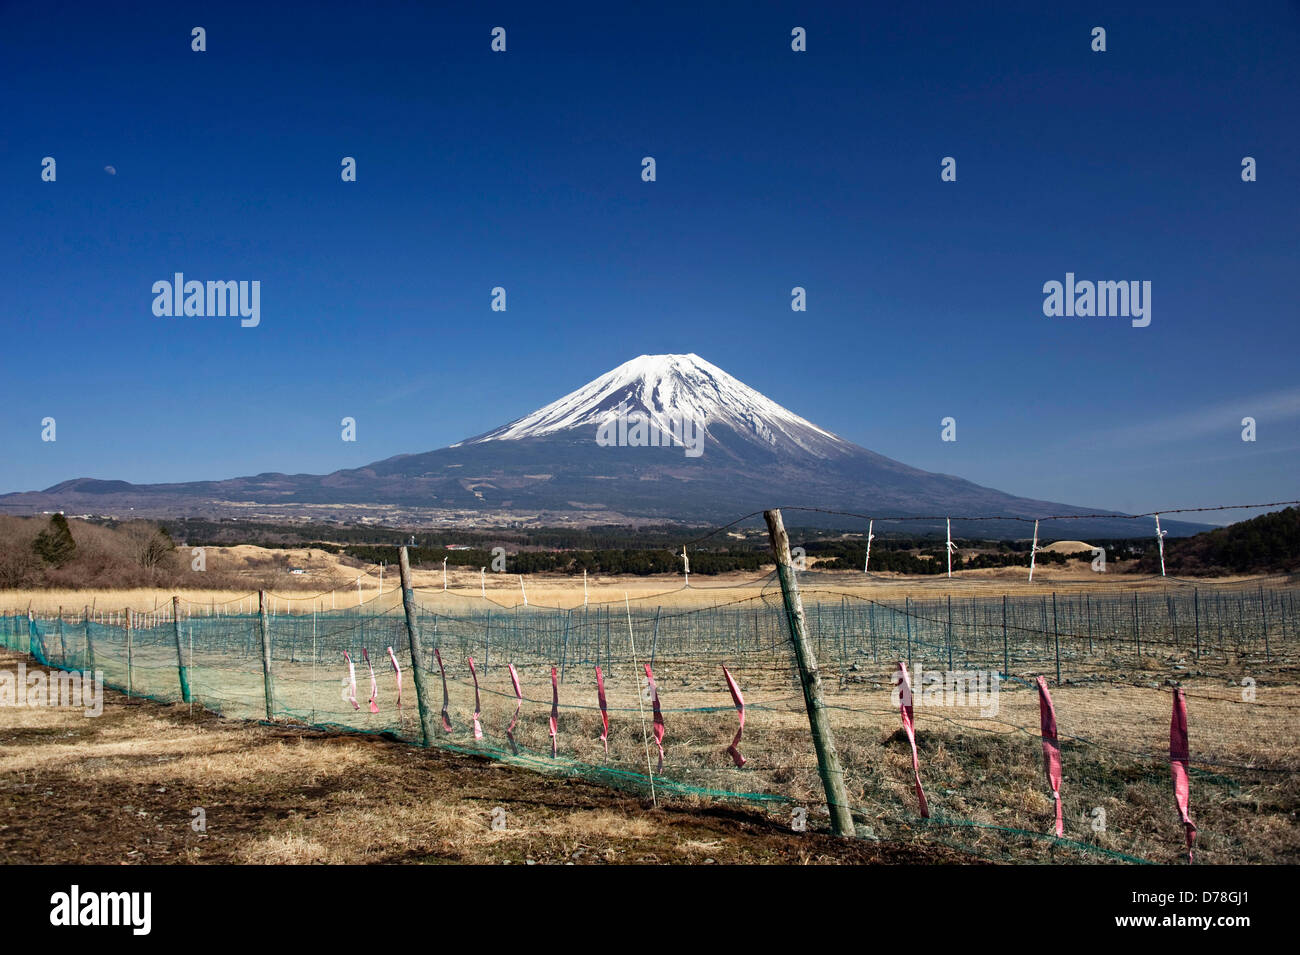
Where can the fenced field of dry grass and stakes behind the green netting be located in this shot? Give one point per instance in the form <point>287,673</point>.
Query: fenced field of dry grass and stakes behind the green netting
<point>1116,654</point>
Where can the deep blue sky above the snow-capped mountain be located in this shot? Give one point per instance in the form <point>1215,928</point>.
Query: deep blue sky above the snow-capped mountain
<point>775,170</point>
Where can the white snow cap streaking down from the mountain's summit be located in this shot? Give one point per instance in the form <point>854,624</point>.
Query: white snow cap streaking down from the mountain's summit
<point>675,387</point>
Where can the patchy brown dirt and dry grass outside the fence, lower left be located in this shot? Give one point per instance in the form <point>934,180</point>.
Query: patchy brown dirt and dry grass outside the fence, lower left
<point>124,788</point>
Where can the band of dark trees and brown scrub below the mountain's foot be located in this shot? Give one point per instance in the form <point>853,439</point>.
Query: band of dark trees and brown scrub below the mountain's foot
<point>57,553</point>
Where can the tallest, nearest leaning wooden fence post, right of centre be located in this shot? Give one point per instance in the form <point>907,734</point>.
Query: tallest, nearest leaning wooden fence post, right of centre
<point>824,739</point>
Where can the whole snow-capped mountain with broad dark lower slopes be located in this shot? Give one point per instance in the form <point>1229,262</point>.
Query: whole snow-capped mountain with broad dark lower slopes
<point>553,467</point>
